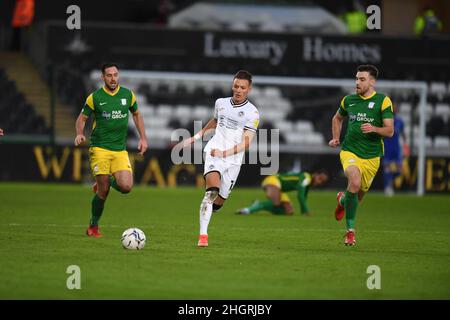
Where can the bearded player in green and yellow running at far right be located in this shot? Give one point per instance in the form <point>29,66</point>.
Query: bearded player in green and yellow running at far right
<point>370,118</point>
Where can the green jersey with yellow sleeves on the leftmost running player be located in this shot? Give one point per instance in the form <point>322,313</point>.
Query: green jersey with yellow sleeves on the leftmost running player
<point>110,117</point>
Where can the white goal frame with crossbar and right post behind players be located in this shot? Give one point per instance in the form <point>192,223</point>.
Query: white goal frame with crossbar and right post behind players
<point>135,77</point>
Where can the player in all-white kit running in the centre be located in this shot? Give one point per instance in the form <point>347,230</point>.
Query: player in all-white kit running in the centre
<point>236,120</point>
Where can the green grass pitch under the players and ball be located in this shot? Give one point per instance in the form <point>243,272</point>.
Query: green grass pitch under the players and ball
<point>250,257</point>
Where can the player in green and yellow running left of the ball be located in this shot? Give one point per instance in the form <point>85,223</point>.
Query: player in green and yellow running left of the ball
<point>108,157</point>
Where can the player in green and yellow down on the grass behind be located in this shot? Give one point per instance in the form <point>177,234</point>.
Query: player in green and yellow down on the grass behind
<point>276,188</point>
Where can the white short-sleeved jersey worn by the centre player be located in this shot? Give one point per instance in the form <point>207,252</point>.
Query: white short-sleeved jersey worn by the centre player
<point>232,120</point>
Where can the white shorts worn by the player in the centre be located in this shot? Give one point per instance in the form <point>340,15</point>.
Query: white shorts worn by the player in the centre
<point>228,173</point>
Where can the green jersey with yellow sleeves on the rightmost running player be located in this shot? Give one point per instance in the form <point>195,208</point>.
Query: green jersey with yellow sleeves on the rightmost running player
<point>361,110</point>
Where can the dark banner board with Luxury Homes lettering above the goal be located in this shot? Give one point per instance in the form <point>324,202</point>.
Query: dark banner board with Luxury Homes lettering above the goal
<point>224,52</point>
